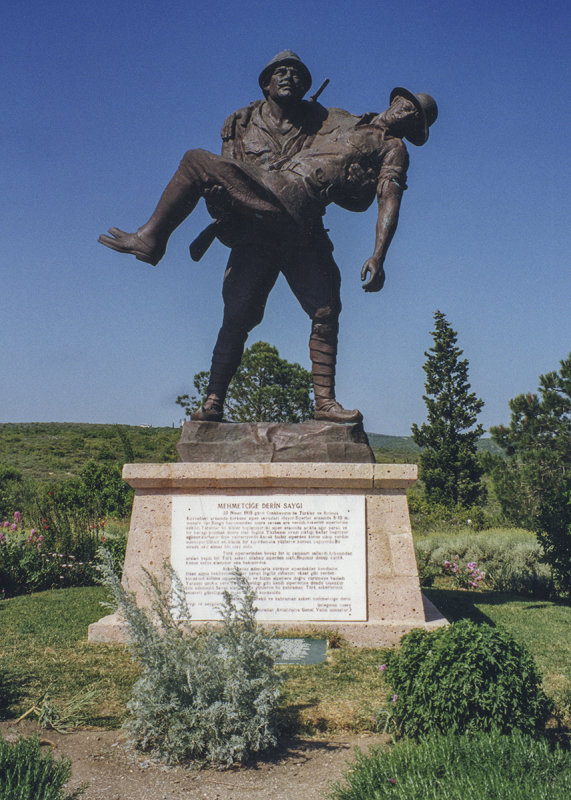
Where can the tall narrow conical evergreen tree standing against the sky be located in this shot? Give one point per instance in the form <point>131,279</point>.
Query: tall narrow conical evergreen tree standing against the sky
<point>450,467</point>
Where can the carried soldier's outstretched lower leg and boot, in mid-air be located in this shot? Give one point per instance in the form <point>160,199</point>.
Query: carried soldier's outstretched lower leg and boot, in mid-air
<point>149,242</point>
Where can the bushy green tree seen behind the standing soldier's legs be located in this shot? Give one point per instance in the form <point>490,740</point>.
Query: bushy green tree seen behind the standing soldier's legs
<point>265,388</point>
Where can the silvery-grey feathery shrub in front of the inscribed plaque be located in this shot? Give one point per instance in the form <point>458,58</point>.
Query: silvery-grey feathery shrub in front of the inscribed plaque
<point>208,697</point>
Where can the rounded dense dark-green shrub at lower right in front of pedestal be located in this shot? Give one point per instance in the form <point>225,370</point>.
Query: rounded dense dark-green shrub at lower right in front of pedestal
<point>465,677</point>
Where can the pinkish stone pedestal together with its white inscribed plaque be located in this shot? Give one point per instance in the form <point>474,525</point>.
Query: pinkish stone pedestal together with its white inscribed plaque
<point>325,545</point>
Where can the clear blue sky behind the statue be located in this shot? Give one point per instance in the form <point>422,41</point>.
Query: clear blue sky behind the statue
<point>100,101</point>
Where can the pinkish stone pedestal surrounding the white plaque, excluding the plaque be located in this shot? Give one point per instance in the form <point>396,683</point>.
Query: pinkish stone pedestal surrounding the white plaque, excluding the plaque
<point>394,603</point>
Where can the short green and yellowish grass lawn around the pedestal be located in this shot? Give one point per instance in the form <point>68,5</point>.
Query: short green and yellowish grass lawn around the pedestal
<point>43,648</point>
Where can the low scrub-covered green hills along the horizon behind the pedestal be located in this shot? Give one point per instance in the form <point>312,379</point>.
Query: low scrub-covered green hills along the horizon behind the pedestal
<point>59,450</point>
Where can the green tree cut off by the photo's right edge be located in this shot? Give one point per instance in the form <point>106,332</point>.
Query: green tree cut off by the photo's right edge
<point>533,482</point>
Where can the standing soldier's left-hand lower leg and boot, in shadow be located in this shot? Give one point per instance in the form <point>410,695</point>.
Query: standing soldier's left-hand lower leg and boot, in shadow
<point>225,361</point>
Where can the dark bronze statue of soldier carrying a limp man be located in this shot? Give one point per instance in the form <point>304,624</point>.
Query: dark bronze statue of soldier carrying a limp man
<point>283,161</point>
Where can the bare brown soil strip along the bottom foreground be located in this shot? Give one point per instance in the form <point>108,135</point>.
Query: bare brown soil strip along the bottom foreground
<point>302,770</point>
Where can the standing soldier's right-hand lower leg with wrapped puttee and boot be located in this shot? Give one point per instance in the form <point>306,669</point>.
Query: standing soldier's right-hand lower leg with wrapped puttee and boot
<point>323,353</point>
